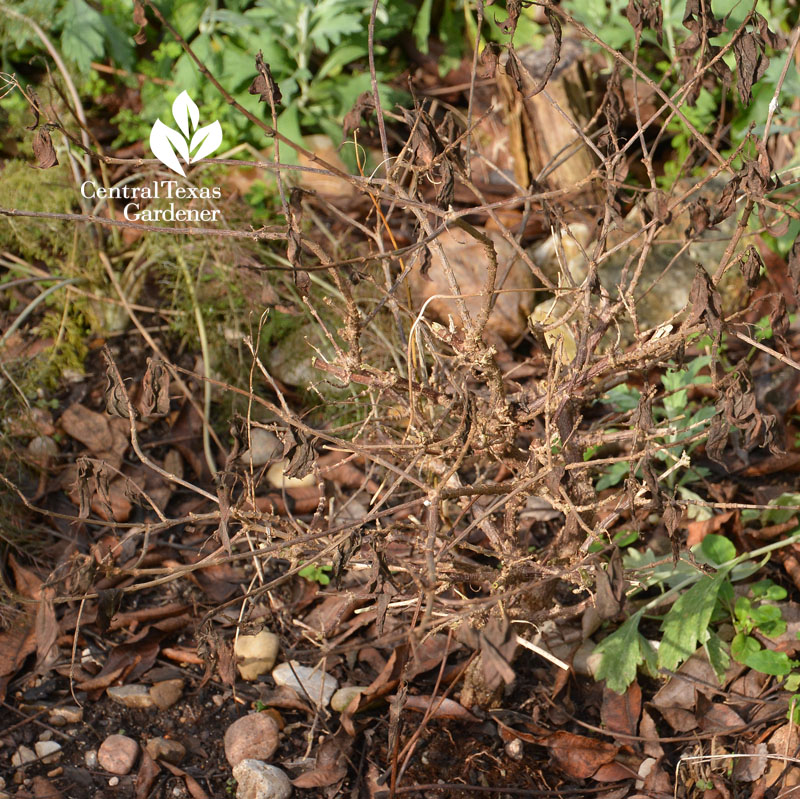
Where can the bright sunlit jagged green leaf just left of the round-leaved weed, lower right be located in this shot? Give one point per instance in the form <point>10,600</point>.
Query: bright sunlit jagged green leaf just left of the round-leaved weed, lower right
<point>686,624</point>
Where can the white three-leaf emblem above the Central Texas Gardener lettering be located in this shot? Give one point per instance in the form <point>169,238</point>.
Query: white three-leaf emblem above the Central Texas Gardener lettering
<point>165,141</point>
